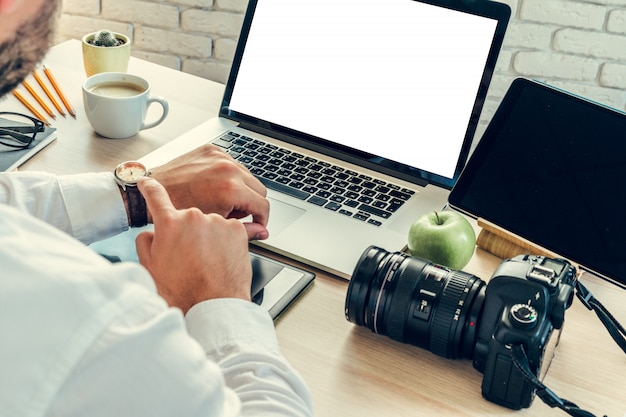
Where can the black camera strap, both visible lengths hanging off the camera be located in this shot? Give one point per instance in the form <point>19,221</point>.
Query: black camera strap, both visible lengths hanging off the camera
<point>520,359</point>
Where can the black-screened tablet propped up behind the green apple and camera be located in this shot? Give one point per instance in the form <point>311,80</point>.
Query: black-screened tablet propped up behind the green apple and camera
<point>550,168</point>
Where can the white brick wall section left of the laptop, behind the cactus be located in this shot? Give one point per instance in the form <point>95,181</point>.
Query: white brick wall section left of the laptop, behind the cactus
<point>195,36</point>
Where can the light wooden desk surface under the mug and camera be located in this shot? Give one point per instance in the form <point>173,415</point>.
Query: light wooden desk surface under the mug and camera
<point>351,371</point>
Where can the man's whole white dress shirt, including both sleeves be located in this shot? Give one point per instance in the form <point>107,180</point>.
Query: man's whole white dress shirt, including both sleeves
<point>83,337</point>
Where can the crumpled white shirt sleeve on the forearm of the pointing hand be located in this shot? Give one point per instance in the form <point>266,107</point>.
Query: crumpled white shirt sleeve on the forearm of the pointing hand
<point>239,336</point>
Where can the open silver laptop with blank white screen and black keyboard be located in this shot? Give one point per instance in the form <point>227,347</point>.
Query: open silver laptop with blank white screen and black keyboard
<point>371,106</point>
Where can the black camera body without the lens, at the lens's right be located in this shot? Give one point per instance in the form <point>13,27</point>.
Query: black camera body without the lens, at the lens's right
<point>525,303</point>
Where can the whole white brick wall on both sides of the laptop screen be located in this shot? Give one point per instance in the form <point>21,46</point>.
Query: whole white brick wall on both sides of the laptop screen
<point>578,45</point>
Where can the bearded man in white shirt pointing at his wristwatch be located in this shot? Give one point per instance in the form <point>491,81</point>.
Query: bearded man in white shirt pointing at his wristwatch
<point>85,337</point>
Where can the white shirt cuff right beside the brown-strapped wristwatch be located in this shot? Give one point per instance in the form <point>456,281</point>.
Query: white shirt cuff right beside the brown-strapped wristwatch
<point>94,205</point>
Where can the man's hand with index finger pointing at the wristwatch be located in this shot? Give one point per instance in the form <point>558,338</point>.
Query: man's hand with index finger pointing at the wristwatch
<point>193,256</point>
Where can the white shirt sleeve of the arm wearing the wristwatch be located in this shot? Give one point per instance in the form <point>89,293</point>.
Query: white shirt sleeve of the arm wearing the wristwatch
<point>87,206</point>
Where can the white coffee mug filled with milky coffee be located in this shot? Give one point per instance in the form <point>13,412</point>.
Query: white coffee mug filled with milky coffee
<point>116,104</point>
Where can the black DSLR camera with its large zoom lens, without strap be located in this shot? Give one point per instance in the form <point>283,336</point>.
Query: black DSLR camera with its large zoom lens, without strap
<point>456,315</point>
